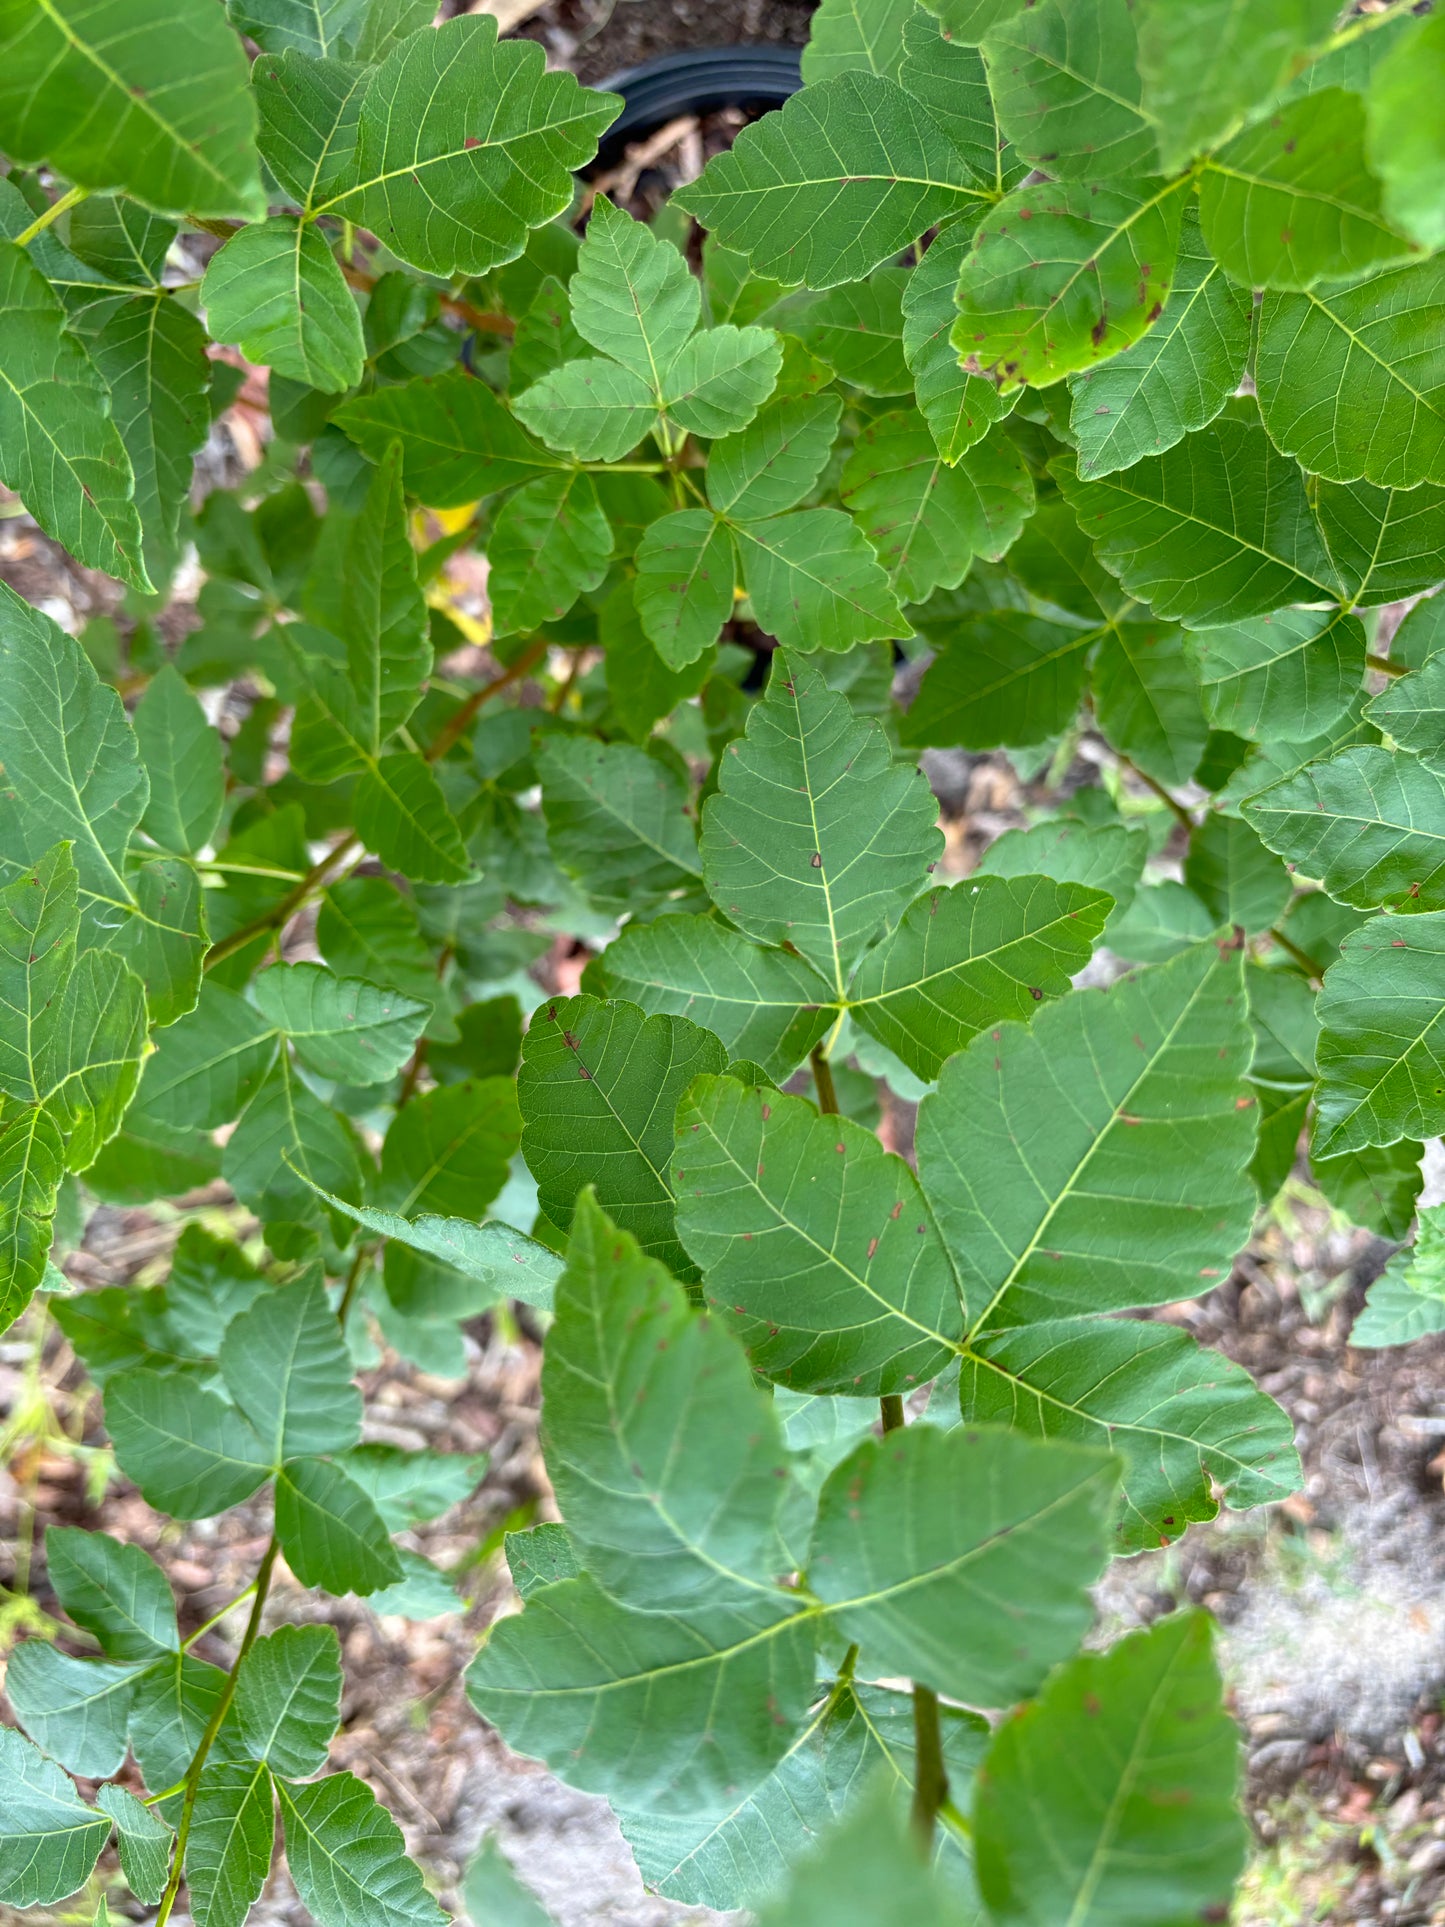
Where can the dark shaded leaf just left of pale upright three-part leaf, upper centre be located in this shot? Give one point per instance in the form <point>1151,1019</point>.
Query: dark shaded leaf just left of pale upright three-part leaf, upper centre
<point>458,440</point>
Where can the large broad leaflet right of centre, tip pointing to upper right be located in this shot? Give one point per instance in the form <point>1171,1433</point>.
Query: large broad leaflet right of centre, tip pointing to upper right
<point>1043,1198</point>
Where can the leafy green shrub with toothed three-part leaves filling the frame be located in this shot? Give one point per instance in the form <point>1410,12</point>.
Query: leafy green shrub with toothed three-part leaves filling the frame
<point>1061,381</point>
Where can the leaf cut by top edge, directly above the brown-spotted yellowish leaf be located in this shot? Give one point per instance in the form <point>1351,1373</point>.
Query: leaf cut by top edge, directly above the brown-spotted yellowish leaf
<point>1066,88</point>
